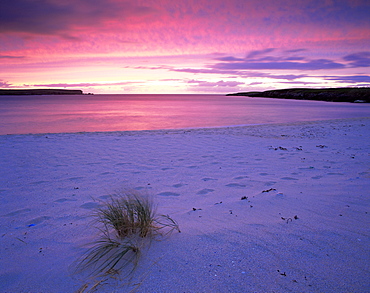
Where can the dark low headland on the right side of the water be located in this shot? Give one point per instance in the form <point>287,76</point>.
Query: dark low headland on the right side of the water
<point>353,95</point>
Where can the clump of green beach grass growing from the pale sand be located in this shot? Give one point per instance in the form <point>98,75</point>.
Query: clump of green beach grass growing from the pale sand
<point>129,222</point>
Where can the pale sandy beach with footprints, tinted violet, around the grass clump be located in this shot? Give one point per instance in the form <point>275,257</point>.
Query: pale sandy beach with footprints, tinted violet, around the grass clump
<point>303,225</point>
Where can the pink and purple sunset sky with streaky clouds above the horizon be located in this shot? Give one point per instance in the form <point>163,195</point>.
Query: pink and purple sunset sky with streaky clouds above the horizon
<point>184,46</point>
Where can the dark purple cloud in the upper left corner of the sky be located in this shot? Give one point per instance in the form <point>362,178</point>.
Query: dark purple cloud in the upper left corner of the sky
<point>47,17</point>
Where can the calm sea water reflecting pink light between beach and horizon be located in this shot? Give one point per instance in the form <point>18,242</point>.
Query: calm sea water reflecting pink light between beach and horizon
<point>54,114</point>
